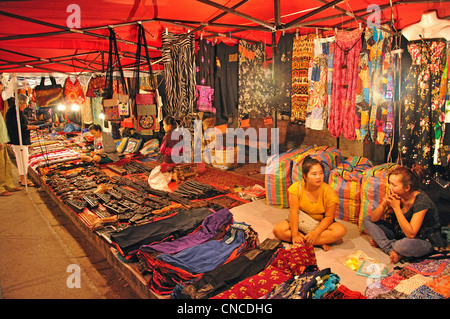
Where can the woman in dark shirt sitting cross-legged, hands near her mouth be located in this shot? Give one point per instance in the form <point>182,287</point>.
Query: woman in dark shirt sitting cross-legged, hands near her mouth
<point>415,217</point>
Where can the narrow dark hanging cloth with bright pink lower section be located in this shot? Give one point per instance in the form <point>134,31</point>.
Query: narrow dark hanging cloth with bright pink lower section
<point>205,63</point>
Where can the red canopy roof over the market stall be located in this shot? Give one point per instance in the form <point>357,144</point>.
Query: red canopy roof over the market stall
<point>67,37</point>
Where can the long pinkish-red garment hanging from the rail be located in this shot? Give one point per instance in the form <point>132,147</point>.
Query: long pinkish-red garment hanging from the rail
<point>345,78</point>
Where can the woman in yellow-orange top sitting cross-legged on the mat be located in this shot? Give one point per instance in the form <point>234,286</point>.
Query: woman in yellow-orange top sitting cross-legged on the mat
<point>312,207</point>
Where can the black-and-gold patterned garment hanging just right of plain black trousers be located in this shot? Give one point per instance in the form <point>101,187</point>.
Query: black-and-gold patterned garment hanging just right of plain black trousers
<point>255,81</point>
